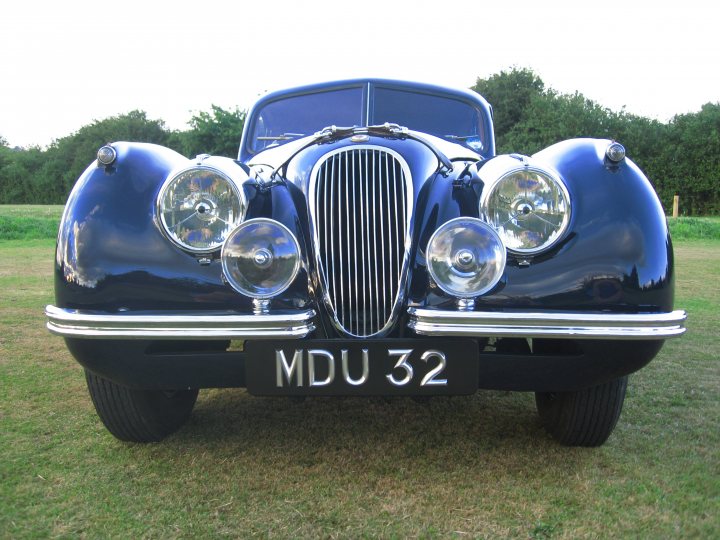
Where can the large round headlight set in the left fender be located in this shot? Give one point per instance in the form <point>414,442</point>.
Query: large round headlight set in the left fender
<point>198,207</point>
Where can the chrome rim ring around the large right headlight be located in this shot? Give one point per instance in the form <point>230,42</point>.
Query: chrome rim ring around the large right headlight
<point>548,174</point>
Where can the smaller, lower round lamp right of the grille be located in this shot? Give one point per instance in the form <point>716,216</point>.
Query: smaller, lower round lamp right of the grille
<point>465,257</point>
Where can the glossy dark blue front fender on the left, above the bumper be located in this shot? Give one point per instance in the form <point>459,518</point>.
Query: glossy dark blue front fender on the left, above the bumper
<point>112,255</point>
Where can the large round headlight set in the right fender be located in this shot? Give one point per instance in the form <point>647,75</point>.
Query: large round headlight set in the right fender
<point>529,208</point>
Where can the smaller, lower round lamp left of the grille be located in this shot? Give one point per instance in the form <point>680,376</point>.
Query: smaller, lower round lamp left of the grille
<point>261,258</point>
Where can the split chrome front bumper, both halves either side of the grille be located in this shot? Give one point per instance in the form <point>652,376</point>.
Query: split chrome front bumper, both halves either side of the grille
<point>430,322</point>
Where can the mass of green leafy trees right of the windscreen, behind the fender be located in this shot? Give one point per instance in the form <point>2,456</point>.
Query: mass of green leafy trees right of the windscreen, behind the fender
<point>681,157</point>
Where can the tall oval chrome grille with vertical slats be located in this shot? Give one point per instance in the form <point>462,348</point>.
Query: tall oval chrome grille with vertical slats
<point>361,206</point>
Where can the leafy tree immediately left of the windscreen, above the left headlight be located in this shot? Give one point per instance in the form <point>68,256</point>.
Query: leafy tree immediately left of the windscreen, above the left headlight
<point>217,133</point>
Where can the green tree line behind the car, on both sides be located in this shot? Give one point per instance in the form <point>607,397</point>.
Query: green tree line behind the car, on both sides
<point>681,156</point>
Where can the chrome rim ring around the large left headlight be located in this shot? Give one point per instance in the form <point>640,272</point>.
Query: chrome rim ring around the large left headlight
<point>227,177</point>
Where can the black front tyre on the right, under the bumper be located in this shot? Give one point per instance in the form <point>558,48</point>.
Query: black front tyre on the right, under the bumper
<point>583,418</point>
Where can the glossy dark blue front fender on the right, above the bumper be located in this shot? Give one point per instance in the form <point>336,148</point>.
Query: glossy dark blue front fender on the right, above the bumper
<point>615,256</point>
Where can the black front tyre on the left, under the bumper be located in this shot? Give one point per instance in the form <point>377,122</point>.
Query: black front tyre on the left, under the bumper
<point>139,415</point>
